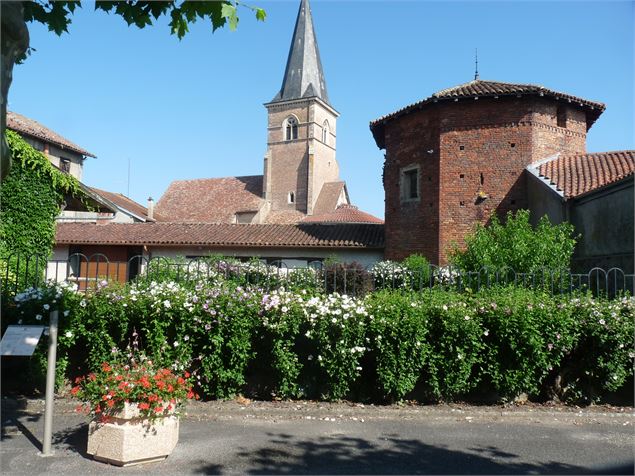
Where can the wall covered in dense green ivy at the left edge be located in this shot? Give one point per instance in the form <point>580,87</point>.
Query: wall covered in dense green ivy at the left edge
<point>30,200</point>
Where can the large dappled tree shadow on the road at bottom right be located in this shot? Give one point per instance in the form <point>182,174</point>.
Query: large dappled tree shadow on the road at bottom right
<point>387,455</point>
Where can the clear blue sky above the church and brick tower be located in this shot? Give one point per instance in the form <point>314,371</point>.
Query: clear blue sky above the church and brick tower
<point>193,108</point>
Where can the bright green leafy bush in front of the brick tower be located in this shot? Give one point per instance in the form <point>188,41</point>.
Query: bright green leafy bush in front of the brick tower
<point>517,245</point>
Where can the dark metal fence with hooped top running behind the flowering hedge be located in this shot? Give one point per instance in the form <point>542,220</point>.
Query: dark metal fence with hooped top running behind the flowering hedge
<point>91,272</point>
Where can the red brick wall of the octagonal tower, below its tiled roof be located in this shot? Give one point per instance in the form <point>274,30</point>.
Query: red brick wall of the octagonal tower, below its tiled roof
<point>472,156</point>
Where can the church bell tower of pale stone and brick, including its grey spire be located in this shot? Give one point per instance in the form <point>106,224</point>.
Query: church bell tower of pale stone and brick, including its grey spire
<point>302,129</point>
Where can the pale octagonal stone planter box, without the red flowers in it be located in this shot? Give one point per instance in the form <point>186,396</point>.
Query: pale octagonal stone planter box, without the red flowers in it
<point>128,438</point>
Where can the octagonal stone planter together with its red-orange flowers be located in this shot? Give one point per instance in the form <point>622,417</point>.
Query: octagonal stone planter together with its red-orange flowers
<point>135,406</point>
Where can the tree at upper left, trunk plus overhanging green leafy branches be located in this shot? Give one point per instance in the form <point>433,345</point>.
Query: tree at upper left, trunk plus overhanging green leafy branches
<point>56,15</point>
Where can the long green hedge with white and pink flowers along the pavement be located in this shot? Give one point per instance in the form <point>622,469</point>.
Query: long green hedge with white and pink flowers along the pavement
<point>432,345</point>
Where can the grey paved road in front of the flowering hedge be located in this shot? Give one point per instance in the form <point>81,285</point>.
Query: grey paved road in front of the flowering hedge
<point>312,438</point>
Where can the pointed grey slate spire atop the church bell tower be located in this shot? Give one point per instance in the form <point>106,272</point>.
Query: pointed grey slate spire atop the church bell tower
<point>303,76</point>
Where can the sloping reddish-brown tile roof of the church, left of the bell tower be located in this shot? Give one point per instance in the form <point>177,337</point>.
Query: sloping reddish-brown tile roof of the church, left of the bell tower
<point>214,200</point>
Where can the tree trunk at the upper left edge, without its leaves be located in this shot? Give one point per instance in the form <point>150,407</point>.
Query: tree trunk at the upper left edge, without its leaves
<point>15,42</point>
